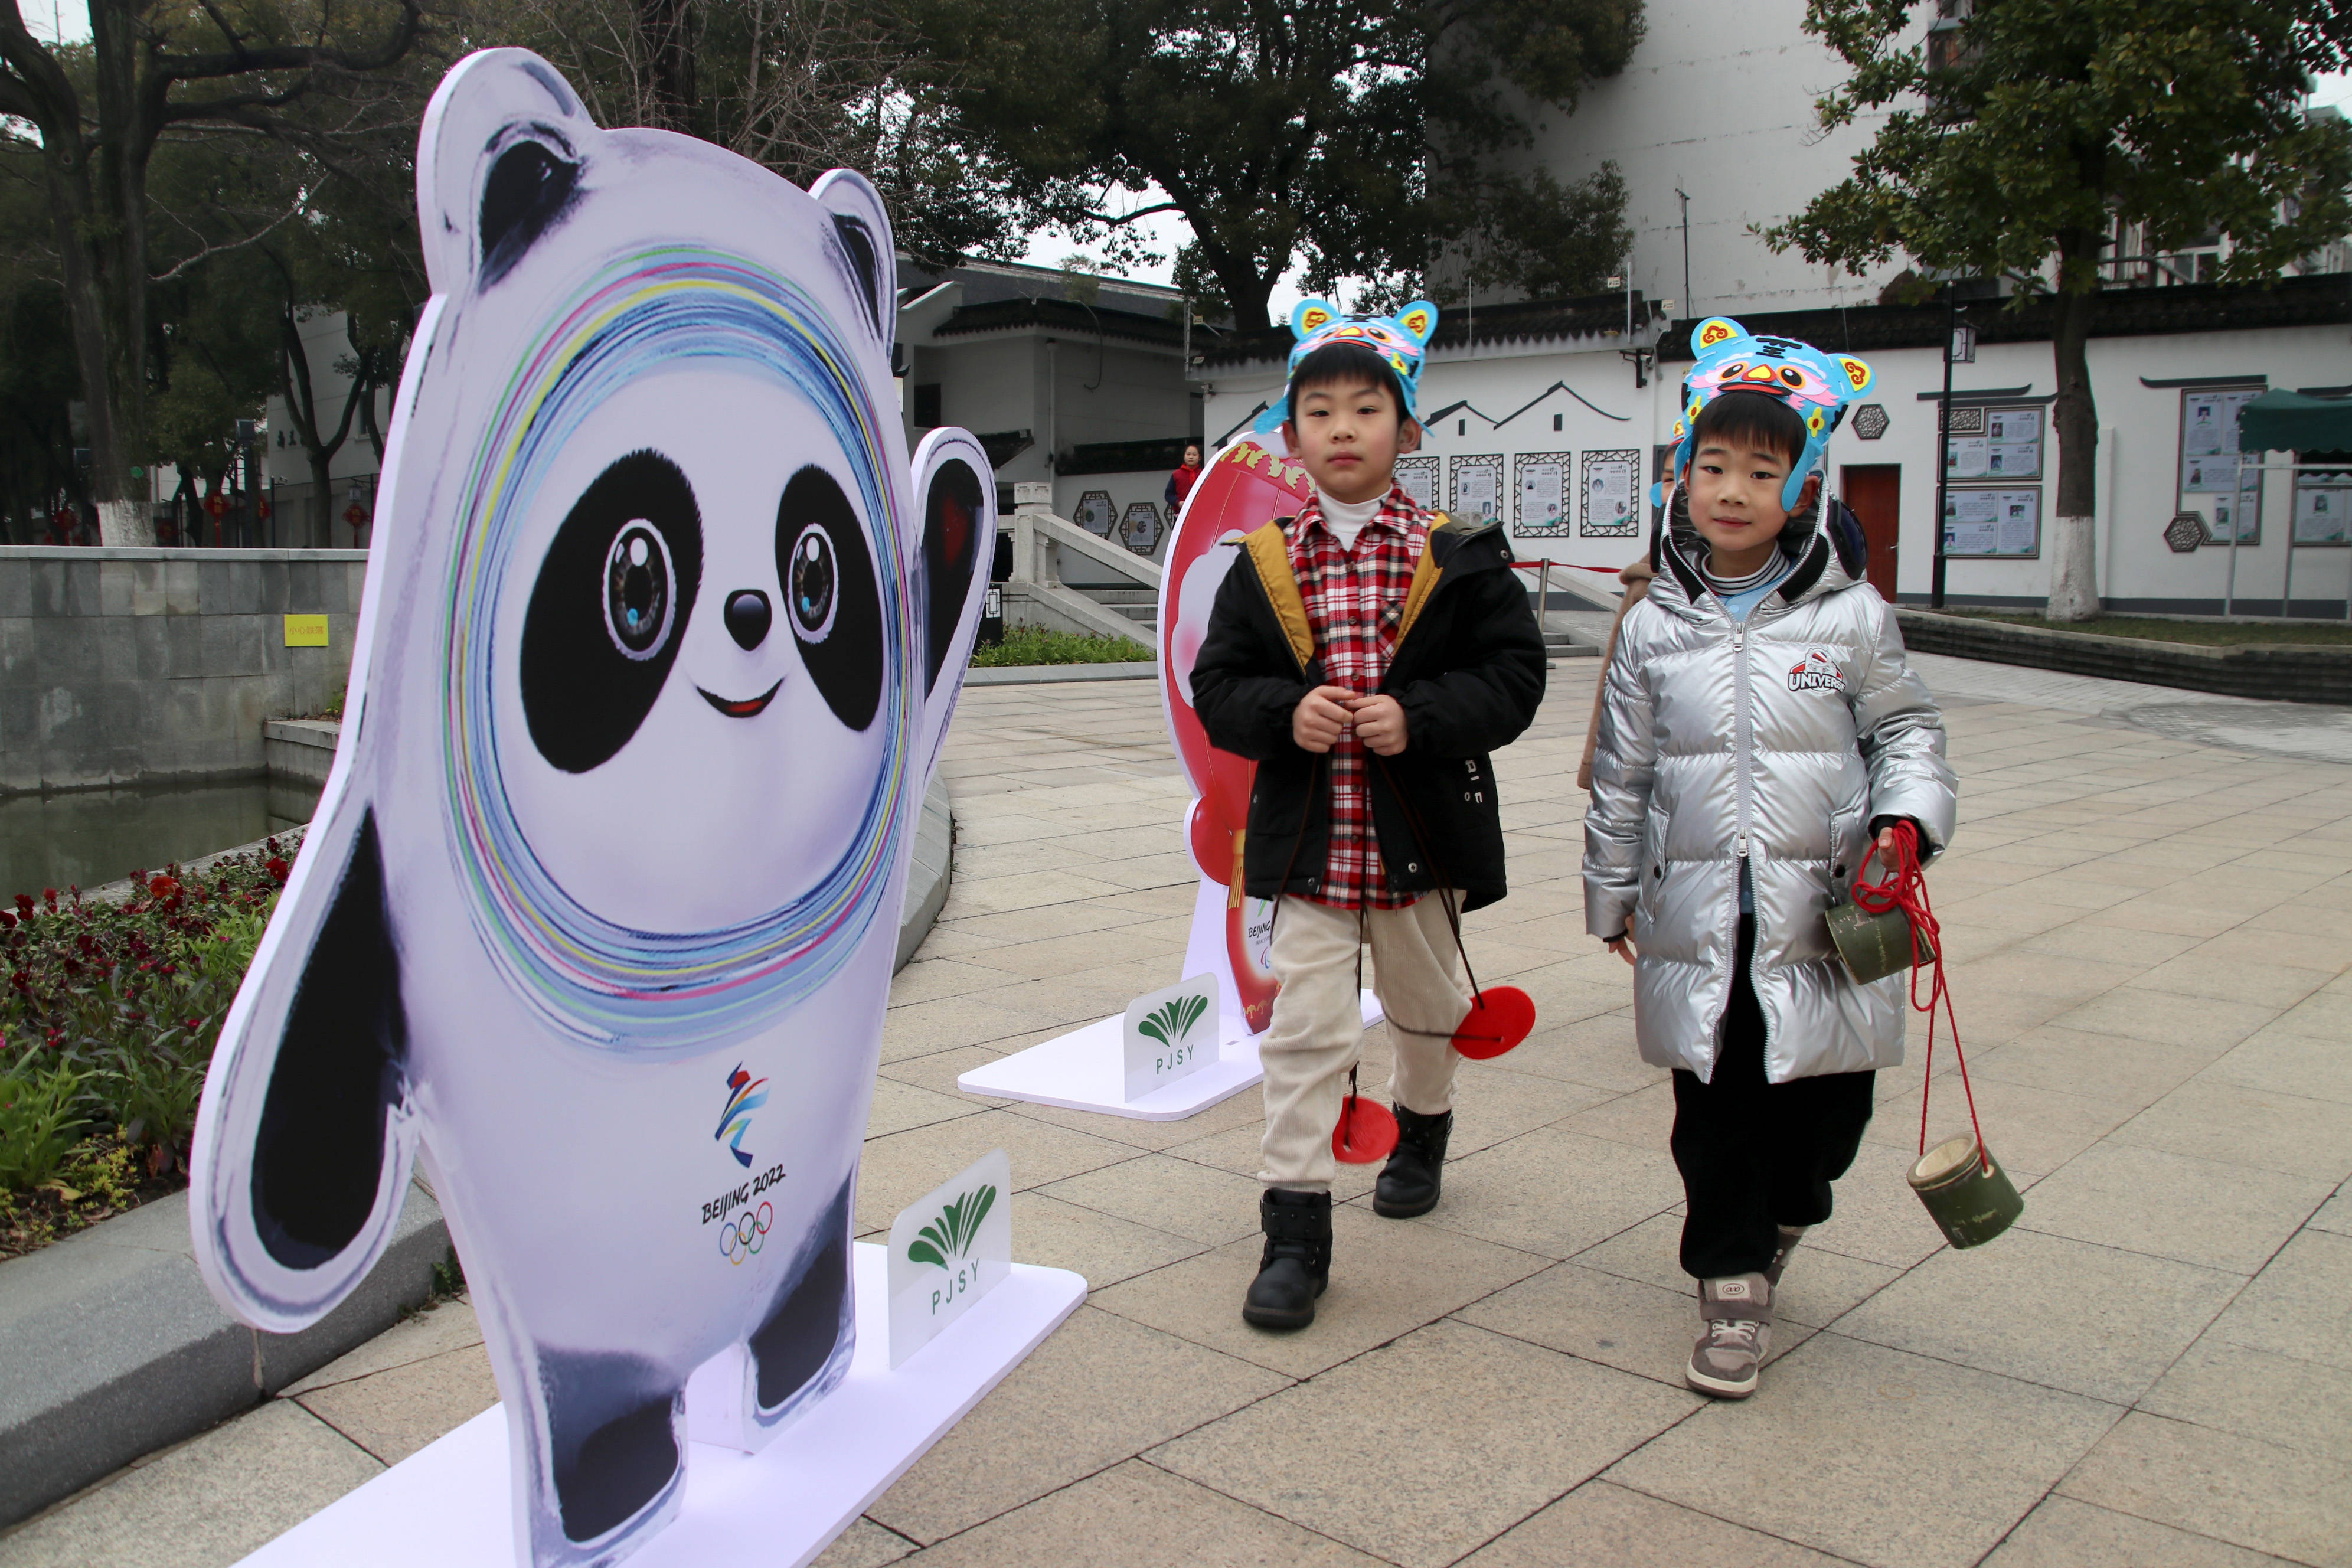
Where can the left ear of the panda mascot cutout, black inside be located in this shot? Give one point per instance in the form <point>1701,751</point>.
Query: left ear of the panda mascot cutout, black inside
<point>497,166</point>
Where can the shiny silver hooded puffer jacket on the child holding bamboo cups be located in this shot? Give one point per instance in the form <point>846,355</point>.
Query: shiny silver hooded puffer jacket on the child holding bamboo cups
<point>1779,739</point>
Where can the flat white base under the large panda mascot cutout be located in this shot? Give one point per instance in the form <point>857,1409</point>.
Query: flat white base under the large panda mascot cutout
<point>450,1506</point>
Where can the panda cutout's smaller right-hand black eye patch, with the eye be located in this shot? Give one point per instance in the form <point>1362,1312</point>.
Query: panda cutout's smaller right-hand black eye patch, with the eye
<point>829,596</point>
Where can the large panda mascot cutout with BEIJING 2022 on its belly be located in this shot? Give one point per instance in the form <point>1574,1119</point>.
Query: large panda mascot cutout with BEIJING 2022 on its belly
<point>660,643</point>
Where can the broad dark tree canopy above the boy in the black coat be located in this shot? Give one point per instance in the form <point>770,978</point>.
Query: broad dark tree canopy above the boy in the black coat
<point>1365,142</point>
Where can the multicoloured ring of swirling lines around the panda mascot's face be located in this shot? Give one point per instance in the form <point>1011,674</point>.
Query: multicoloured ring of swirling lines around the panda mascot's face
<point>660,993</point>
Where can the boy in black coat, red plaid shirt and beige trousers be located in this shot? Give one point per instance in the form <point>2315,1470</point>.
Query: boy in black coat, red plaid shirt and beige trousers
<point>1368,657</point>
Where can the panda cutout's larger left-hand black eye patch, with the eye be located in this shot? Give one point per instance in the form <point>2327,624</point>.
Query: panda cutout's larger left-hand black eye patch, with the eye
<point>608,612</point>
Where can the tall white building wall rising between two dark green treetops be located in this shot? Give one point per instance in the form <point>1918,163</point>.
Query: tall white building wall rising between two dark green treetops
<point>1718,100</point>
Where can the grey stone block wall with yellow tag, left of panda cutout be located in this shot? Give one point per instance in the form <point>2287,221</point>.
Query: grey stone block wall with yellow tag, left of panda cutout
<point>121,666</point>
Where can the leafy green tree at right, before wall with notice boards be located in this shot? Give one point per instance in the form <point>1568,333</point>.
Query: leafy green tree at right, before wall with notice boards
<point>2017,147</point>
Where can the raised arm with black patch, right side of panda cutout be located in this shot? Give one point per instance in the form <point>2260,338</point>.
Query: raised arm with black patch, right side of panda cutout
<point>958,544</point>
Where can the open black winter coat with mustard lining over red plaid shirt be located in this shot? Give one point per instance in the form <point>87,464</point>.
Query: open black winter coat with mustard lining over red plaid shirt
<point>1469,674</point>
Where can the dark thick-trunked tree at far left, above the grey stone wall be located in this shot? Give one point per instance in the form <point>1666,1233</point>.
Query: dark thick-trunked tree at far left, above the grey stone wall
<point>98,116</point>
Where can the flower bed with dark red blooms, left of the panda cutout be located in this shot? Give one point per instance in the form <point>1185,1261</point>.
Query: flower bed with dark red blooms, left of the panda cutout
<point>109,1014</point>
